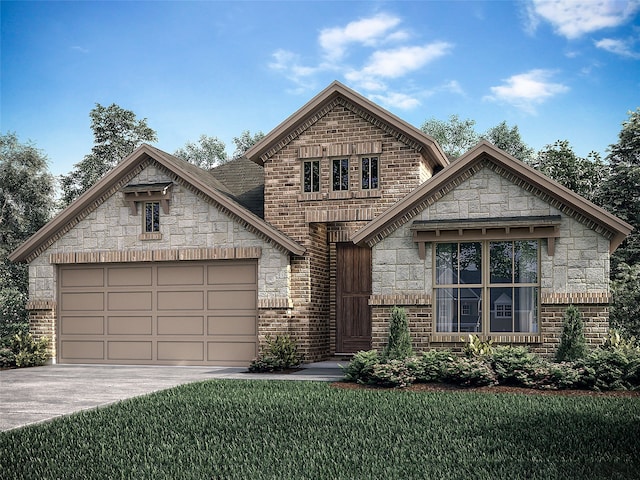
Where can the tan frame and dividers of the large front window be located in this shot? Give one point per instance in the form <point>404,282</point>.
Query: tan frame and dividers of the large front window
<point>486,286</point>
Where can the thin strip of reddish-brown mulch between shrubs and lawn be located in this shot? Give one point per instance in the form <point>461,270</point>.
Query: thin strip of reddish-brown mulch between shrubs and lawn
<point>442,387</point>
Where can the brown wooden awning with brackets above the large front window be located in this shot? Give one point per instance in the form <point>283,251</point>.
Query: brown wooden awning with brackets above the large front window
<point>507,228</point>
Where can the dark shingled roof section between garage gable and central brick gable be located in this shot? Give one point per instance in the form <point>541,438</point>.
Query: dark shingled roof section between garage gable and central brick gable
<point>243,181</point>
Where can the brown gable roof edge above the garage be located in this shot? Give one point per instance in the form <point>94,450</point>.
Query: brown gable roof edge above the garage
<point>196,178</point>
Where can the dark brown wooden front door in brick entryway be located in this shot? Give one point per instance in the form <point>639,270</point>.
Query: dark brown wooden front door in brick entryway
<point>353,288</point>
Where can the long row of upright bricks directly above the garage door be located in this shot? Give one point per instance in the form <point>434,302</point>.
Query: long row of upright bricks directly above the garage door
<point>129,256</point>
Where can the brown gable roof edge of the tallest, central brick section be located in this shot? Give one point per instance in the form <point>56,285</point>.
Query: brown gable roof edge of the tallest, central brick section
<point>322,103</point>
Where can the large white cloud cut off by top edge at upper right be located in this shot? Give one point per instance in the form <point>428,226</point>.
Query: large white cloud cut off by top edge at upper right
<point>574,18</point>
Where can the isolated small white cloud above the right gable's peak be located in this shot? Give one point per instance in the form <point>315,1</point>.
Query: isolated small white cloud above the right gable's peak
<point>526,90</point>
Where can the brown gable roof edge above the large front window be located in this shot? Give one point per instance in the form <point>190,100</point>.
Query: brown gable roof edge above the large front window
<point>439,185</point>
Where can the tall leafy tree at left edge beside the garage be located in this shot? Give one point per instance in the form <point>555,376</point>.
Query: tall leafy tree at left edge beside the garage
<point>26,199</point>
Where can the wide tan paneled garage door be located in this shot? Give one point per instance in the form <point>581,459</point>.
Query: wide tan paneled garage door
<point>188,313</point>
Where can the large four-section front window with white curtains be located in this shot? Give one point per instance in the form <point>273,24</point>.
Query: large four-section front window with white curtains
<point>487,287</point>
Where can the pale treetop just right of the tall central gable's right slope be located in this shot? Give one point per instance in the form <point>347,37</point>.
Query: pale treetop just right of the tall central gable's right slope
<point>455,136</point>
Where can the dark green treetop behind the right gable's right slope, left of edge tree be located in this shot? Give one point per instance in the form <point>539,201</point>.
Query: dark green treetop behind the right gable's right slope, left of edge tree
<point>583,176</point>
